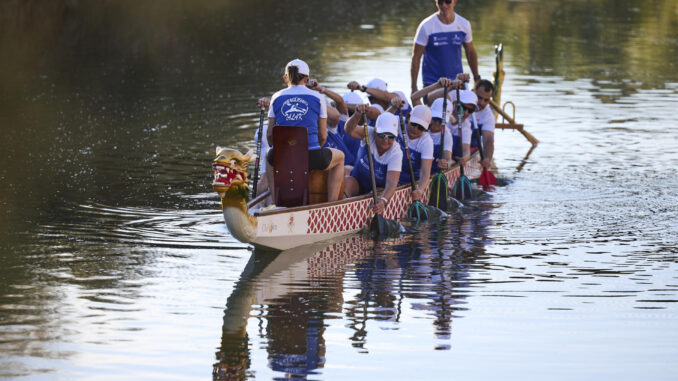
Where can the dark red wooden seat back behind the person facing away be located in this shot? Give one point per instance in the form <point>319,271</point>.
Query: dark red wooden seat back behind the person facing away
<point>290,163</point>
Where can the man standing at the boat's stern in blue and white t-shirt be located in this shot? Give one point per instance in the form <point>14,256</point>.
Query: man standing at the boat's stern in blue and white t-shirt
<point>439,40</point>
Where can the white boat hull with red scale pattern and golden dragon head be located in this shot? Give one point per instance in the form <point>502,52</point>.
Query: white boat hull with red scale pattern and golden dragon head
<point>284,228</point>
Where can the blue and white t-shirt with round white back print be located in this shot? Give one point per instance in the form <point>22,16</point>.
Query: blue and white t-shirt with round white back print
<point>299,106</point>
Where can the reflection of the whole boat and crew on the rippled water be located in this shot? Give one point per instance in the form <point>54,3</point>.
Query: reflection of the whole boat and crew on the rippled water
<point>291,295</point>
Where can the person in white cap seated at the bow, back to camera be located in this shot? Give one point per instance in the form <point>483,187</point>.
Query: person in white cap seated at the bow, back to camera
<point>297,105</point>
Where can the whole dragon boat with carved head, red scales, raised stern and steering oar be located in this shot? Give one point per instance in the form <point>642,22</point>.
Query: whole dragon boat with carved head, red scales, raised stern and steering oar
<point>284,228</point>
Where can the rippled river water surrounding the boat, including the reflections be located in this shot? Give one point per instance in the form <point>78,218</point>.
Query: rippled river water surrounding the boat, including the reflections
<point>115,263</point>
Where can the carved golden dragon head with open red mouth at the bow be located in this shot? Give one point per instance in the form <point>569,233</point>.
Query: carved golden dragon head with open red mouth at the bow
<point>230,169</point>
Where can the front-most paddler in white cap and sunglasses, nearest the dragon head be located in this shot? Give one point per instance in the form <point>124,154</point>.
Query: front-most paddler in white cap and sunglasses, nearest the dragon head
<point>387,157</point>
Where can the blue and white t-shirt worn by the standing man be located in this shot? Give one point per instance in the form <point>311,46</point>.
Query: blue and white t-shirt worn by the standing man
<point>443,42</point>
